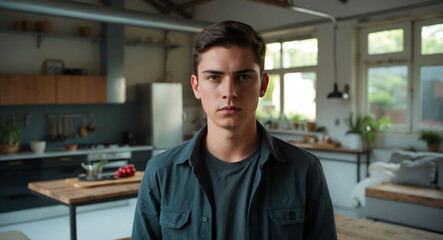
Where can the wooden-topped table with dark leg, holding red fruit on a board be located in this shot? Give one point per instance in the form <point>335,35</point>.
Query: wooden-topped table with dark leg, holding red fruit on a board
<point>65,193</point>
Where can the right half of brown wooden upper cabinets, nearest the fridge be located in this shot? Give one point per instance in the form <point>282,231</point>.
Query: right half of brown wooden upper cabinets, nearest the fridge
<point>80,89</point>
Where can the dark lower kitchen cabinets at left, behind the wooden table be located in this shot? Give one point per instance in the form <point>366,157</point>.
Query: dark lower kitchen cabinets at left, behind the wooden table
<point>15,176</point>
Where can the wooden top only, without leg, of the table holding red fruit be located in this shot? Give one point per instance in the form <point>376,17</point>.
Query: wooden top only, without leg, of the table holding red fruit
<point>66,193</point>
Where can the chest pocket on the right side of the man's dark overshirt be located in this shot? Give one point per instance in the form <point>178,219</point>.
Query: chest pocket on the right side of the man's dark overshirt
<point>287,222</point>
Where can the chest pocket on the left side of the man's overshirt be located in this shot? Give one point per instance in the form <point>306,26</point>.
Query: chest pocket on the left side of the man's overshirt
<point>173,223</point>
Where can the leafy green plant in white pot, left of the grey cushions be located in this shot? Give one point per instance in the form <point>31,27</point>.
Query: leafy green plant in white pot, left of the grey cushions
<point>362,129</point>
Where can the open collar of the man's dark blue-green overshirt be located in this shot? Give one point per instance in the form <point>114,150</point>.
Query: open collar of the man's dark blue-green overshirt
<point>191,152</point>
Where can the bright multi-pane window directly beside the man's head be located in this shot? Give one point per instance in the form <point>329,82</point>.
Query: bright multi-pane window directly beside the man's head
<point>291,66</point>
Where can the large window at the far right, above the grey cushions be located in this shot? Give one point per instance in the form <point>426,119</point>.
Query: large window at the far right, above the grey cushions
<point>401,68</point>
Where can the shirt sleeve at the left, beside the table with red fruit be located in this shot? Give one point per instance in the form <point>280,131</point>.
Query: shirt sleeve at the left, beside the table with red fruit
<point>146,219</point>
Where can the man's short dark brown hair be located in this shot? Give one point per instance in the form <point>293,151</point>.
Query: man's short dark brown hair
<point>227,34</point>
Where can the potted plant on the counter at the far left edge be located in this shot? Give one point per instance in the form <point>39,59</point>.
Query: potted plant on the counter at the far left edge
<point>9,136</point>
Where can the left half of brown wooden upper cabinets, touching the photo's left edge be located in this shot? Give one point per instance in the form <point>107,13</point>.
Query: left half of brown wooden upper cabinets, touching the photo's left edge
<point>27,89</point>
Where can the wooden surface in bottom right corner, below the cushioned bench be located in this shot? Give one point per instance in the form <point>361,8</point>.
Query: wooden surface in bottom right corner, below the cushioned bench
<point>350,228</point>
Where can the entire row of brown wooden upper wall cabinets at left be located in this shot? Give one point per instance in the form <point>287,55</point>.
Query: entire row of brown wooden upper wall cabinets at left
<point>45,89</point>
